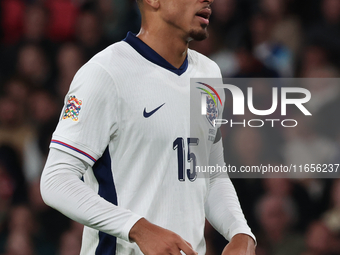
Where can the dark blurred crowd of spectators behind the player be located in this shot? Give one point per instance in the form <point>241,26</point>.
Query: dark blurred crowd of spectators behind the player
<point>44,43</point>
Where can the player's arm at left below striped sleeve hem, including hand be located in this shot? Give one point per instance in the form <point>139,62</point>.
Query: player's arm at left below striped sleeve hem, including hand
<point>63,189</point>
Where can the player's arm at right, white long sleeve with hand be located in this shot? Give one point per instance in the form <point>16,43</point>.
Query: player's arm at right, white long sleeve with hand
<point>223,209</point>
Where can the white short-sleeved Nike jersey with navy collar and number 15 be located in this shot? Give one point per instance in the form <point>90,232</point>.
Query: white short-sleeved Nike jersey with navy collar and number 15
<point>127,114</point>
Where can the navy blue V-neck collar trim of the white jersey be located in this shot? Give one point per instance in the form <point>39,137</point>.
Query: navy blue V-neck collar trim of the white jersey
<point>151,55</point>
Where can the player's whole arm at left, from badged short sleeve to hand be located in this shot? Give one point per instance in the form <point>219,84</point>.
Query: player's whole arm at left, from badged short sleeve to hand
<point>76,145</point>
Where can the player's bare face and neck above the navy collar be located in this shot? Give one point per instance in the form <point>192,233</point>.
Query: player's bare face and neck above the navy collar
<point>169,25</point>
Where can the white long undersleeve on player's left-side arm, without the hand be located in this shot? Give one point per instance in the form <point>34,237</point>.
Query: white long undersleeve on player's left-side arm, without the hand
<point>62,188</point>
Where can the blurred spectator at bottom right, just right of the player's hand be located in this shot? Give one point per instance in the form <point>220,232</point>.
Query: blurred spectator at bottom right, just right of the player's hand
<point>276,215</point>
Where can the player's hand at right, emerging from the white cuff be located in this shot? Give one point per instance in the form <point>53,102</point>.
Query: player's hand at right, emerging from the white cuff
<point>240,245</point>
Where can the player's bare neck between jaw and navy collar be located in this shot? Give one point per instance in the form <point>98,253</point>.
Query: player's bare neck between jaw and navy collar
<point>173,49</point>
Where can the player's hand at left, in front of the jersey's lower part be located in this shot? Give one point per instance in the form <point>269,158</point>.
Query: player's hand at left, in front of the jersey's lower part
<point>154,240</point>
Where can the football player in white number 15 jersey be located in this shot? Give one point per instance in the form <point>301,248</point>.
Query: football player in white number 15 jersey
<point>118,160</point>
